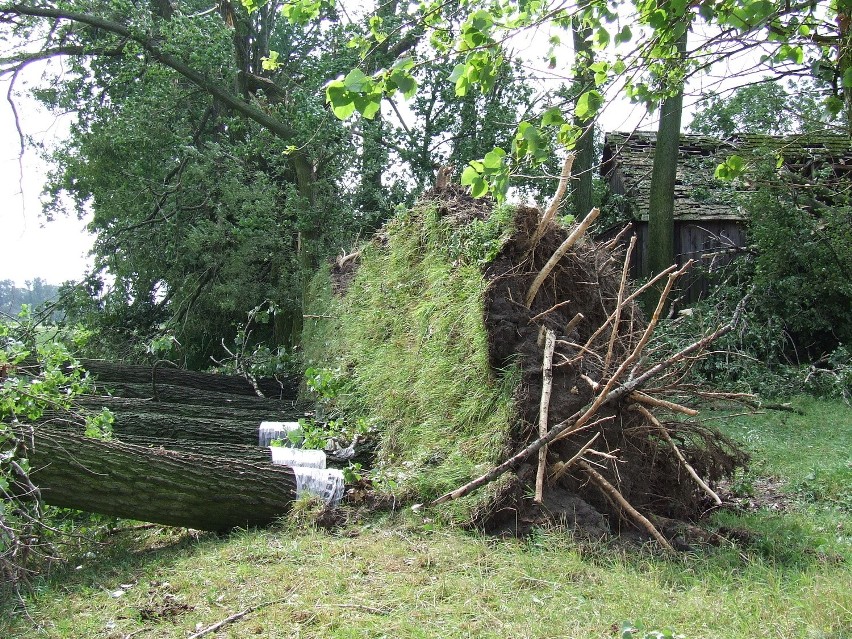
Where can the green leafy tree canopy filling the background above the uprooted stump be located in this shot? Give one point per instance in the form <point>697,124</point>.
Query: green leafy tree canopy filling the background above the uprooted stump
<point>226,149</point>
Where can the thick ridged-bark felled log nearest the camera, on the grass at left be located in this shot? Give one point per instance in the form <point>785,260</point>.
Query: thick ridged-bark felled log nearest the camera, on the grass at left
<point>164,487</point>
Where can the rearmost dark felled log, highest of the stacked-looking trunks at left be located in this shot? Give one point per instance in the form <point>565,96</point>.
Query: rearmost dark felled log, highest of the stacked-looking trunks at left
<point>285,388</point>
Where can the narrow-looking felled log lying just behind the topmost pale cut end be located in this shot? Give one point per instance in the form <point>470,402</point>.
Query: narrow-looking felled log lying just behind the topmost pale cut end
<point>281,411</point>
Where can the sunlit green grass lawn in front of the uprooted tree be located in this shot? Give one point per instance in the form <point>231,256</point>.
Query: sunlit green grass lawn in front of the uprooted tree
<point>400,576</point>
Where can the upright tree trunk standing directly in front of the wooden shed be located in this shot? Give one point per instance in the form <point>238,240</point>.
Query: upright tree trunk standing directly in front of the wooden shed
<point>661,198</point>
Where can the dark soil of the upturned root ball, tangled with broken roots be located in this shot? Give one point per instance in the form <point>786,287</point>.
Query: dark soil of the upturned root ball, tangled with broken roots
<point>631,453</point>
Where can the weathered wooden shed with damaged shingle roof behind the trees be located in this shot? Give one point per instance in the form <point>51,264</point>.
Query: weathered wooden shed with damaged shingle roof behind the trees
<point>709,219</point>
